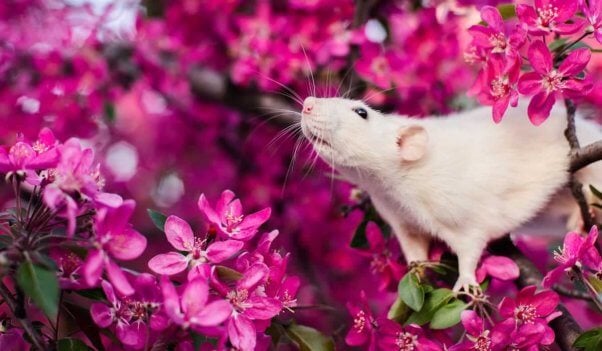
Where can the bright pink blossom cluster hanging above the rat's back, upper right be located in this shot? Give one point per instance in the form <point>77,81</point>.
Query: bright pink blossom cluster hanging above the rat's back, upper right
<point>547,39</point>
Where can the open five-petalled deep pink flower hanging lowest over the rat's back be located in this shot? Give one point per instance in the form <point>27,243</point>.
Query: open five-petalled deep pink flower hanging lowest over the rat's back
<point>547,81</point>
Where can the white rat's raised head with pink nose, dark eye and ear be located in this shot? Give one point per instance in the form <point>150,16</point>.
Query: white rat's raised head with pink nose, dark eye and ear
<point>348,133</point>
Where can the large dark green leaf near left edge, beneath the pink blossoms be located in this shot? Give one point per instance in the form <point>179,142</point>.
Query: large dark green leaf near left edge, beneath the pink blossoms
<point>41,285</point>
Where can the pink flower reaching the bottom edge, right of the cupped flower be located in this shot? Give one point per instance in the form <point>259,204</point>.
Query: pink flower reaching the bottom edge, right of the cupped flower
<point>248,305</point>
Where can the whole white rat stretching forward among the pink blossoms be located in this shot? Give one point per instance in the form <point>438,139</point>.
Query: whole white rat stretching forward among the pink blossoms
<point>460,178</point>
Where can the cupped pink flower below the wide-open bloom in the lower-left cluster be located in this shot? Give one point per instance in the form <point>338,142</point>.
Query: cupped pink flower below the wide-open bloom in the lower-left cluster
<point>191,309</point>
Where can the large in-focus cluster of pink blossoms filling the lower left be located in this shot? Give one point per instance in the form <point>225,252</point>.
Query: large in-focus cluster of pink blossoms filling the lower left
<point>74,237</point>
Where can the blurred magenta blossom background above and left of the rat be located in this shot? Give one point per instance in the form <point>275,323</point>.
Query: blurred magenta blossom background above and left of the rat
<point>180,98</point>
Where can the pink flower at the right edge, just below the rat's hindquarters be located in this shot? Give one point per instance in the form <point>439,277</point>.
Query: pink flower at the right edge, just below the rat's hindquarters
<point>575,250</point>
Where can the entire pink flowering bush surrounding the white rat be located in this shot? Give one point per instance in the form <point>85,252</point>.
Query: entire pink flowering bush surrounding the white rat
<point>170,109</point>
